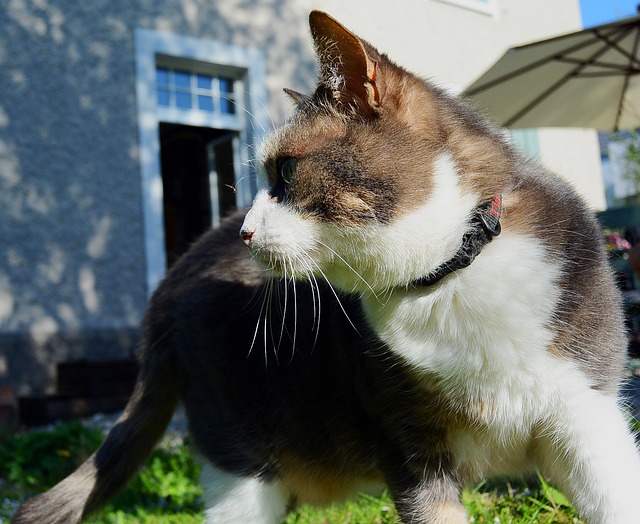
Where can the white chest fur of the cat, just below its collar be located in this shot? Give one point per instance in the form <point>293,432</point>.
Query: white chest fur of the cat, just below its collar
<point>484,332</point>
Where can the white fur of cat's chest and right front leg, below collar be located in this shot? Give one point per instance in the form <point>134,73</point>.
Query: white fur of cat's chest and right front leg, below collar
<point>484,331</point>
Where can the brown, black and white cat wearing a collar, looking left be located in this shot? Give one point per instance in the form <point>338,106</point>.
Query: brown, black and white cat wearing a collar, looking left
<point>436,309</point>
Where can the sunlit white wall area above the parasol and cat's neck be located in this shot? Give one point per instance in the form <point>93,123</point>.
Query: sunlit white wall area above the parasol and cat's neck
<point>448,43</point>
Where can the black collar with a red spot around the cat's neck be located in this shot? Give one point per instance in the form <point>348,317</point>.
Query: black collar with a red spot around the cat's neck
<point>485,225</point>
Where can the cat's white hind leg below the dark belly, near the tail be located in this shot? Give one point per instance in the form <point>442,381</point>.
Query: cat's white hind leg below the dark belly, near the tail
<point>230,499</point>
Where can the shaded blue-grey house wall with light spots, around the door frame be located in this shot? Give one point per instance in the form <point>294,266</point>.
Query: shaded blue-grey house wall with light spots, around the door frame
<point>72,268</point>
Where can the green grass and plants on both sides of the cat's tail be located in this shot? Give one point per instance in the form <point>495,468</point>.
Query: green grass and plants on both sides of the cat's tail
<point>165,490</point>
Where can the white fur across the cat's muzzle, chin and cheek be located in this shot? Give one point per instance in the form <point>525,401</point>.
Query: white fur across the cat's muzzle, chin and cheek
<point>365,259</point>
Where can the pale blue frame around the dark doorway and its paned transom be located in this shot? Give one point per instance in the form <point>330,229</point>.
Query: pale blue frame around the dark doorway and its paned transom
<point>153,48</point>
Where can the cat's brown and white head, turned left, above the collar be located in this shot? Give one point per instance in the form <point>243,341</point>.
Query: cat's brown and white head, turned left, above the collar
<point>373,181</point>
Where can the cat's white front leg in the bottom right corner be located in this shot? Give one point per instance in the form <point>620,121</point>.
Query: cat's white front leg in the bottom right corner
<point>586,448</point>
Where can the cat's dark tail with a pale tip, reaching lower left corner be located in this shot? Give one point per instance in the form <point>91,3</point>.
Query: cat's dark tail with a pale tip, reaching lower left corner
<point>128,444</point>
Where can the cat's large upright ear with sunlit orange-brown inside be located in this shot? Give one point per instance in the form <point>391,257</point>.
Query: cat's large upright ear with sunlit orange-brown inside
<point>348,66</point>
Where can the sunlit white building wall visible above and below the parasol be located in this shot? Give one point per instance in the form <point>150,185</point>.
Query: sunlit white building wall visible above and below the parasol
<point>453,45</point>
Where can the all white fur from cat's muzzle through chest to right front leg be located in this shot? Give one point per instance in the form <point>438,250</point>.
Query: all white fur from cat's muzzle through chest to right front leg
<point>484,332</point>
